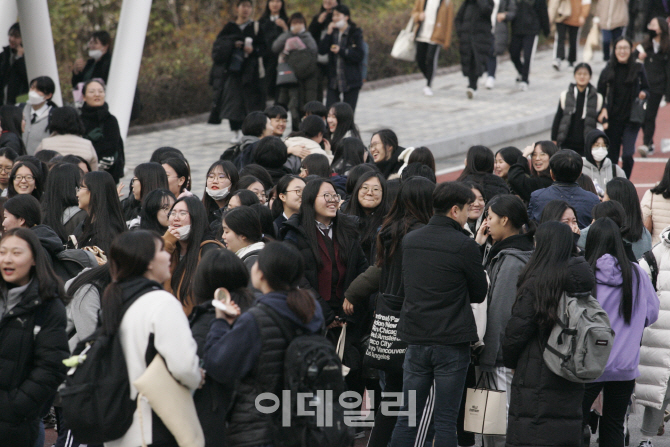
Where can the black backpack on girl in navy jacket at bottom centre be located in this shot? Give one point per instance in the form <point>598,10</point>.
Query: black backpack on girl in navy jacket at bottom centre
<point>311,365</point>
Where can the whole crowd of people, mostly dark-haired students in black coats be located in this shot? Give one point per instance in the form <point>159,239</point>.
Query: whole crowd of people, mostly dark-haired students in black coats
<point>318,240</point>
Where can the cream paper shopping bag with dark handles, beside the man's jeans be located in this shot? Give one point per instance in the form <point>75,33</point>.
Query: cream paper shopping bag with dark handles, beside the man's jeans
<point>485,409</point>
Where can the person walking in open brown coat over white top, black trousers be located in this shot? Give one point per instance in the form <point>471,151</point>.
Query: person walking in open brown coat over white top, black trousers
<point>433,19</point>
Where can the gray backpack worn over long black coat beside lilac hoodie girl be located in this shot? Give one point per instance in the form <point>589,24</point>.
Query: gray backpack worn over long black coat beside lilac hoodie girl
<point>580,343</point>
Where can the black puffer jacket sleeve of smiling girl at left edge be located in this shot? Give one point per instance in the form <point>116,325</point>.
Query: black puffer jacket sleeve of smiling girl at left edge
<point>47,373</point>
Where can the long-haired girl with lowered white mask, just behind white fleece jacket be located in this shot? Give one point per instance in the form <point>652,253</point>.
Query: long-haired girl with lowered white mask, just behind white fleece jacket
<point>187,239</point>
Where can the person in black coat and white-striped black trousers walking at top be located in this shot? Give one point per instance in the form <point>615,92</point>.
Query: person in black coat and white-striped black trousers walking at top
<point>531,18</point>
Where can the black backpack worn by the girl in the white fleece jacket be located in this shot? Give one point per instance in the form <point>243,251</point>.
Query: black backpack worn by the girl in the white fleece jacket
<point>96,401</point>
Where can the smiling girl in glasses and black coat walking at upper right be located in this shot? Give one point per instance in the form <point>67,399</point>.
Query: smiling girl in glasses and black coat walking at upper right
<point>622,82</point>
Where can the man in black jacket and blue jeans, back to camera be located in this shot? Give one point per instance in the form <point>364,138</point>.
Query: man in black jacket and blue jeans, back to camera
<point>443,275</point>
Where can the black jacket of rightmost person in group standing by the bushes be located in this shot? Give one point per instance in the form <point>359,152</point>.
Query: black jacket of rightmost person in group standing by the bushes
<point>351,53</point>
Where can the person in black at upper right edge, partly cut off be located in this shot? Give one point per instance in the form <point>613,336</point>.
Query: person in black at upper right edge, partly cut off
<point>656,56</point>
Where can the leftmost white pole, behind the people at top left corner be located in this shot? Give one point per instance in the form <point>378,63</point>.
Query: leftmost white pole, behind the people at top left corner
<point>38,42</point>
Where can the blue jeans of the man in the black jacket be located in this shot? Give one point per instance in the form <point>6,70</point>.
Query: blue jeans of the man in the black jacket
<point>446,367</point>
